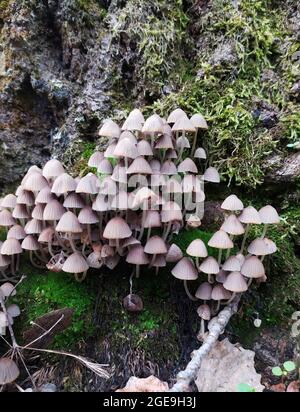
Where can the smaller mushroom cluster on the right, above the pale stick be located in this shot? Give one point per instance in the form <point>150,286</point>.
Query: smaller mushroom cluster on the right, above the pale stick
<point>236,266</point>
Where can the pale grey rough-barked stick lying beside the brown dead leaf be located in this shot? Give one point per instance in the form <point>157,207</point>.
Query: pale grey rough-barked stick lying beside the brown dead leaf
<point>185,377</point>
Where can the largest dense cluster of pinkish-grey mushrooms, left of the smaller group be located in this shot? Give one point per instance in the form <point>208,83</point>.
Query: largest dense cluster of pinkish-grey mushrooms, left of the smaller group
<point>128,208</point>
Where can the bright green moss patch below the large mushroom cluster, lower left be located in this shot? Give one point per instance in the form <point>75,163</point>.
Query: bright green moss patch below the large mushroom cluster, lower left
<point>42,292</point>
